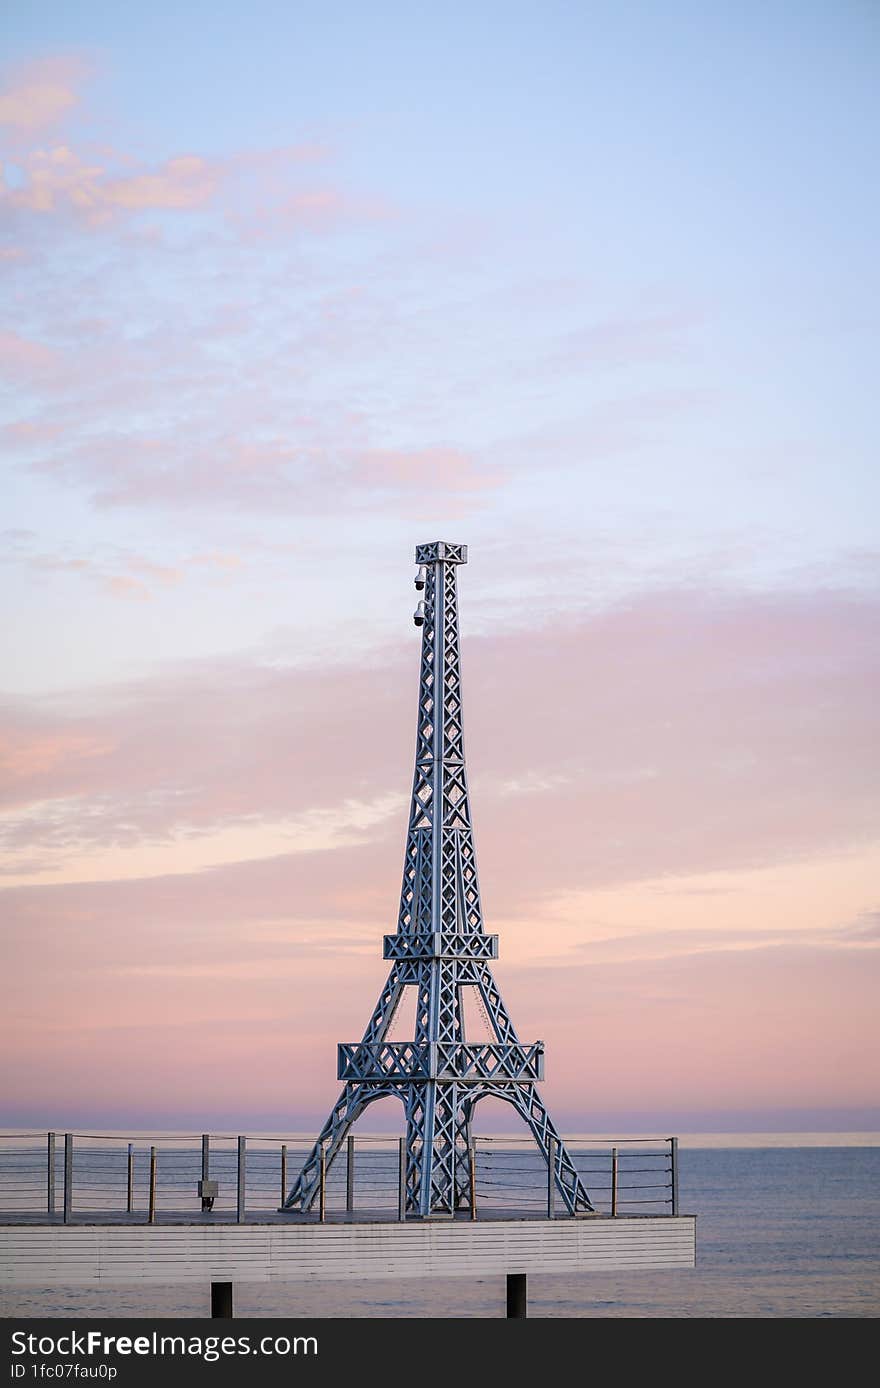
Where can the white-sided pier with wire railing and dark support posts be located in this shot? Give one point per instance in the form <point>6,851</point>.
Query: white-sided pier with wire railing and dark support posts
<point>80,1210</point>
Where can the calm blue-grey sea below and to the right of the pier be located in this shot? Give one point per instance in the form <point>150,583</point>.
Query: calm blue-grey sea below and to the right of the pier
<point>781,1233</point>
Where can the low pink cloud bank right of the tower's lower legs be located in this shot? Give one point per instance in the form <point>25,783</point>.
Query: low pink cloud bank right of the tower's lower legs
<point>767,1028</point>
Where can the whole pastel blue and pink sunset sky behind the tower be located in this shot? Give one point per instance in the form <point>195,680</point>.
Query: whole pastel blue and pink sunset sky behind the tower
<point>289,288</point>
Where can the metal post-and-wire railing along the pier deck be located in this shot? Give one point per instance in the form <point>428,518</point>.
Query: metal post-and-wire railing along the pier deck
<point>66,1176</point>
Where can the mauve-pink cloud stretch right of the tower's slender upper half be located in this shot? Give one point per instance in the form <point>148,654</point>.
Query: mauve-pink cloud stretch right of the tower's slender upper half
<point>686,735</point>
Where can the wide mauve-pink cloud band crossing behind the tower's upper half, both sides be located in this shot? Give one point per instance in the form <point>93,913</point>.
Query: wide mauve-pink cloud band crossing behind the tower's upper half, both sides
<point>677,735</point>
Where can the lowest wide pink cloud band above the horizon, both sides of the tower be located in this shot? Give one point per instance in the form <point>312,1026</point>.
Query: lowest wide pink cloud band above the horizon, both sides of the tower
<point>234,971</point>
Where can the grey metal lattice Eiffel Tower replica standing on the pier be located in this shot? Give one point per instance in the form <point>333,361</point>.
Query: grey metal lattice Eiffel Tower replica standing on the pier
<point>441,949</point>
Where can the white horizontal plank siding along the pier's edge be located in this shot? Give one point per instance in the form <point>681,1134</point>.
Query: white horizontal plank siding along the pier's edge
<point>102,1254</point>
